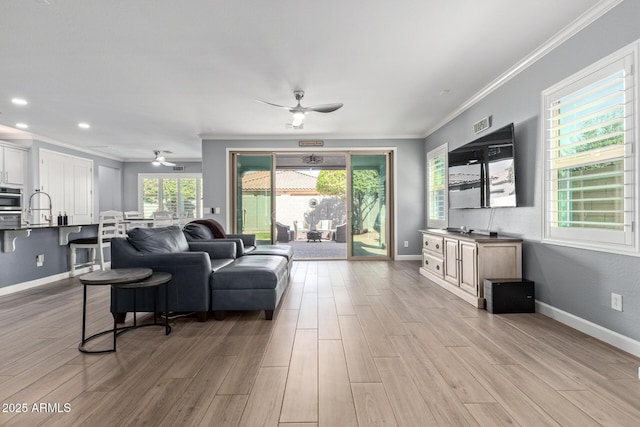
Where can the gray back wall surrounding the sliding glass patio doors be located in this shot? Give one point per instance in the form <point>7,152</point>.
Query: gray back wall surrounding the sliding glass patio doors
<point>409,178</point>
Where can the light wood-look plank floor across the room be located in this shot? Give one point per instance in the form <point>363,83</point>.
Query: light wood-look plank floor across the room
<point>353,343</point>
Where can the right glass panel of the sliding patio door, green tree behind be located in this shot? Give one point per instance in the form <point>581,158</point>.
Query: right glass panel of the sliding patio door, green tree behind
<point>368,204</point>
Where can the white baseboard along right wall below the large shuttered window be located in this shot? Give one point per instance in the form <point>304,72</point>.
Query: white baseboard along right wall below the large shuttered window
<point>603,334</point>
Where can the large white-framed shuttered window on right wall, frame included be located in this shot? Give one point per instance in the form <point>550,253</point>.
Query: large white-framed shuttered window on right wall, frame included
<point>590,161</point>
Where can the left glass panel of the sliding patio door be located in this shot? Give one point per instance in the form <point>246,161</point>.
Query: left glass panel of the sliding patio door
<point>253,195</point>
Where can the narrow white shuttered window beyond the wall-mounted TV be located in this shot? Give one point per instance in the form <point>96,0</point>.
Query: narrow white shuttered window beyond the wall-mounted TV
<point>437,187</point>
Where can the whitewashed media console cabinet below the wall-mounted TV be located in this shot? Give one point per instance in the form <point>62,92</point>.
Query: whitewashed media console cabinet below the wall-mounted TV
<point>461,262</point>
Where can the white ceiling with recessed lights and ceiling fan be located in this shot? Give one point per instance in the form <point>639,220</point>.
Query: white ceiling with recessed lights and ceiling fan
<point>161,74</point>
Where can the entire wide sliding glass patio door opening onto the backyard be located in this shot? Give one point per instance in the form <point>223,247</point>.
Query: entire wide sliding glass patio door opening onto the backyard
<point>365,228</point>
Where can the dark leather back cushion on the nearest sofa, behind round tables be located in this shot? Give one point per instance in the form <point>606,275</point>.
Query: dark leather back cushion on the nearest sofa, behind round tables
<point>158,240</point>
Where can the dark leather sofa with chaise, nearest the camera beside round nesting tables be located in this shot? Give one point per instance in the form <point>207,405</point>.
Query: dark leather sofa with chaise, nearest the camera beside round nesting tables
<point>208,275</point>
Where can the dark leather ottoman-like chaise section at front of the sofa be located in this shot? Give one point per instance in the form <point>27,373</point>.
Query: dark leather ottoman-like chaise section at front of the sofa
<point>254,282</point>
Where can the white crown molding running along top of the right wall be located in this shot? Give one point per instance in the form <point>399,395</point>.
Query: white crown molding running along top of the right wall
<point>562,36</point>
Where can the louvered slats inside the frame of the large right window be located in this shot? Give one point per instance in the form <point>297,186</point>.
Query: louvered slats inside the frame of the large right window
<point>587,153</point>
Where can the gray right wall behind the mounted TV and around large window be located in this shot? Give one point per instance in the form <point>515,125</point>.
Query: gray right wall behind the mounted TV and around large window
<point>577,281</point>
